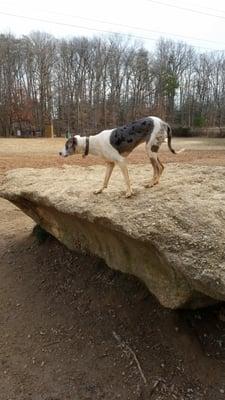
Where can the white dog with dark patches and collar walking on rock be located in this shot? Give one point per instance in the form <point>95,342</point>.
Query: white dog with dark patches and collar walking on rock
<point>114,145</point>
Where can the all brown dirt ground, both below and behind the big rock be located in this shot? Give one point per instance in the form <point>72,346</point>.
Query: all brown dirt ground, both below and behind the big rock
<point>72,329</point>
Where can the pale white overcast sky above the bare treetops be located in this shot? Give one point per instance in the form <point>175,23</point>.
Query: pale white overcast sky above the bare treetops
<point>201,24</point>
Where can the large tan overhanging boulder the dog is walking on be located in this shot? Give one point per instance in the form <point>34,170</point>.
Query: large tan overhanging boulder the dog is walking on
<point>171,236</point>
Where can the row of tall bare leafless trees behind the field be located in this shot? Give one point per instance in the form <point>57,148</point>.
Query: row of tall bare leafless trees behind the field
<point>85,85</point>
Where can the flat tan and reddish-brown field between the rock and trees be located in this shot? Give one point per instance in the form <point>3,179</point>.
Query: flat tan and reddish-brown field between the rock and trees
<point>42,153</point>
